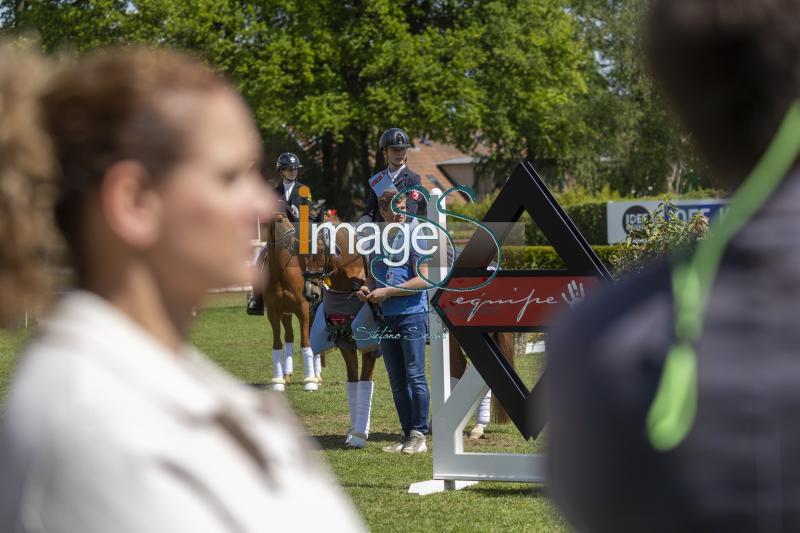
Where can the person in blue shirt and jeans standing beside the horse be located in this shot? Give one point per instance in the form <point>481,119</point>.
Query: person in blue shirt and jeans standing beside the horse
<point>405,321</point>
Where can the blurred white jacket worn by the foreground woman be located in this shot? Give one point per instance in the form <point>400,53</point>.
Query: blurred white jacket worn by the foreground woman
<point>105,430</point>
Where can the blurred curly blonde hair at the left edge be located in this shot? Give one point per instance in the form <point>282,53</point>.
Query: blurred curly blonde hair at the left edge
<point>26,186</point>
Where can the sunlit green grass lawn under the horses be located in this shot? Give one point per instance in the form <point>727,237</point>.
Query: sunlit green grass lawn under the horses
<point>377,482</point>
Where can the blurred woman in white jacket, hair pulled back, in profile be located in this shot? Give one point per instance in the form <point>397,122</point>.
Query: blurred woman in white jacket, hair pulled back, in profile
<point>113,422</point>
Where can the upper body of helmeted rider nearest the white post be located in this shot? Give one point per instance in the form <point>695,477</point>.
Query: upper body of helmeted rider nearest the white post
<point>394,144</point>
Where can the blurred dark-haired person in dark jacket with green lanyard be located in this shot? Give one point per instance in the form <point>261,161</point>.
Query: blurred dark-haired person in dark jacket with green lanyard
<point>731,70</point>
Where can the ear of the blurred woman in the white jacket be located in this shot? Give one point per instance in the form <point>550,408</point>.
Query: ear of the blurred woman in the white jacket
<point>130,204</point>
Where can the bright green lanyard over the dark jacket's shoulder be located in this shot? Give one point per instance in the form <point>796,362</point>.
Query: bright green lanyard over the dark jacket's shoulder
<point>673,410</point>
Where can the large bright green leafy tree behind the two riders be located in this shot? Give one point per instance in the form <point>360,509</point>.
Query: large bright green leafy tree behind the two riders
<point>326,77</point>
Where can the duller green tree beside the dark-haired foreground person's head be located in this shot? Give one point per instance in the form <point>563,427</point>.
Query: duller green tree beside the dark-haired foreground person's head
<point>626,137</point>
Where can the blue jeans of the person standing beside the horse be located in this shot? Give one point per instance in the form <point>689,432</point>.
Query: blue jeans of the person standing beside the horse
<point>404,357</point>
